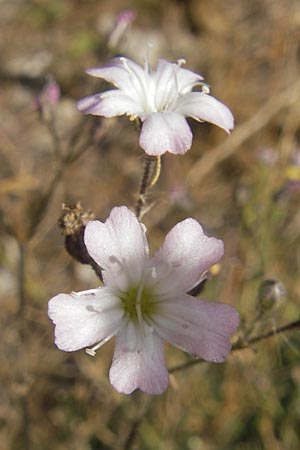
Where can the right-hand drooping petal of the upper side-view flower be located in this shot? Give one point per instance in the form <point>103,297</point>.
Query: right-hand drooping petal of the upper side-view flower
<point>204,107</point>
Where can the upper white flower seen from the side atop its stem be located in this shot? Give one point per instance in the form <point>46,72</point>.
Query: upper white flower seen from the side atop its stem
<point>161,98</point>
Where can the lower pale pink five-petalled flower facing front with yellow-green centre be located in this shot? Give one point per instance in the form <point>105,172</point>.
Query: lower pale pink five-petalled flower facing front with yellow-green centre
<point>143,302</point>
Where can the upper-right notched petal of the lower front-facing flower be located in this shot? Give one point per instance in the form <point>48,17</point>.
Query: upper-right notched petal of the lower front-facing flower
<point>186,253</point>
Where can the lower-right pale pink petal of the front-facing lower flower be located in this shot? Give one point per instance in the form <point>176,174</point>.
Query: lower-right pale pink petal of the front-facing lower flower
<point>197,326</point>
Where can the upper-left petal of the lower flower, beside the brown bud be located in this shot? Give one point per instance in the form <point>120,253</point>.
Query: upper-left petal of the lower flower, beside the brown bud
<point>119,246</point>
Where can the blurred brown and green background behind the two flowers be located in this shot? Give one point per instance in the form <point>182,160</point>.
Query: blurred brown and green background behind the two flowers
<point>243,188</point>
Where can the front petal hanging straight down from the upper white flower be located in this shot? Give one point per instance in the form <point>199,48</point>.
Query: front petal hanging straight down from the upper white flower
<point>165,132</point>
